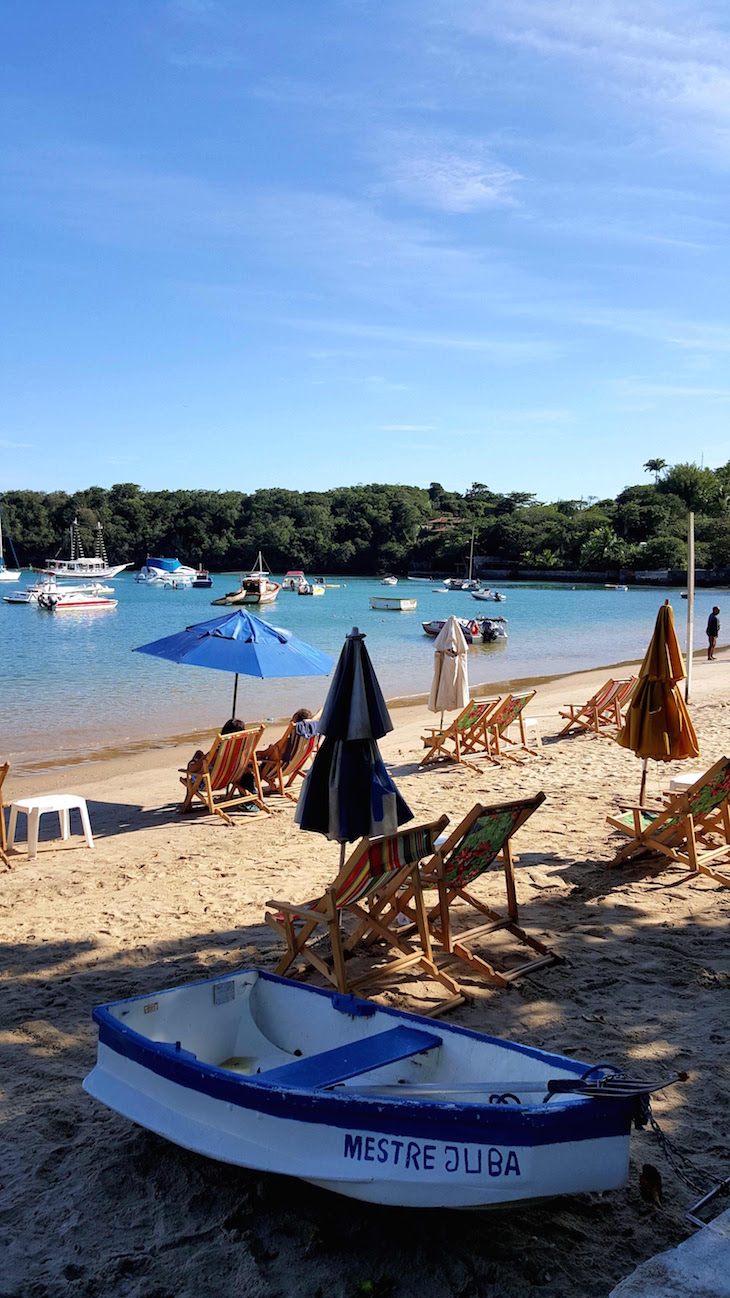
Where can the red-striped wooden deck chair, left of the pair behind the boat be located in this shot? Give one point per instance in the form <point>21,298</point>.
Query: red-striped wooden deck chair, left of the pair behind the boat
<point>373,866</point>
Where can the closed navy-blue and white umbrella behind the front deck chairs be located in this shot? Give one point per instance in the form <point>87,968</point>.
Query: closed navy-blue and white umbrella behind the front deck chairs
<point>349,792</point>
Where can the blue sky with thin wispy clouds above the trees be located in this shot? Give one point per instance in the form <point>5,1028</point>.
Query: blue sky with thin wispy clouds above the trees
<point>307,243</point>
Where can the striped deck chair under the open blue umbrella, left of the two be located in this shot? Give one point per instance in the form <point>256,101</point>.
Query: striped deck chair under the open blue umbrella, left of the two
<point>223,772</point>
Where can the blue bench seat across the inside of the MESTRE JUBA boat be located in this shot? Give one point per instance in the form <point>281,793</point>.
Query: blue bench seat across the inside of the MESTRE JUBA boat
<point>350,1061</point>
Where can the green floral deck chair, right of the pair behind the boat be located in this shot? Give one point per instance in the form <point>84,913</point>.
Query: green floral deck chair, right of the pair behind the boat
<point>484,838</point>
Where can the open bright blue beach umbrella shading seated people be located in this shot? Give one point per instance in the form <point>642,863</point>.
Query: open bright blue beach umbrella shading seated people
<point>244,644</point>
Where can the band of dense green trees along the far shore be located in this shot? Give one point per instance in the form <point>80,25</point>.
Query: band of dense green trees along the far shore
<point>376,528</point>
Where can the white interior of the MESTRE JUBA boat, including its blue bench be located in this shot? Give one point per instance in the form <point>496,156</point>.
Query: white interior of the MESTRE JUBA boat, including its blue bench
<point>289,1035</point>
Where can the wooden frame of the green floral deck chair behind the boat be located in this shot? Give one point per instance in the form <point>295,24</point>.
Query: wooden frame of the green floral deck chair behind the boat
<point>397,908</point>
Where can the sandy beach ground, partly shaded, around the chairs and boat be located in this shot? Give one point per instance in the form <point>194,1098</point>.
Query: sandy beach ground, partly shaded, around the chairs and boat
<point>92,1205</point>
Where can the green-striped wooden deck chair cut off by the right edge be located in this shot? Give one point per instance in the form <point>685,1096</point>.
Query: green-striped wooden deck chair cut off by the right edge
<point>693,830</point>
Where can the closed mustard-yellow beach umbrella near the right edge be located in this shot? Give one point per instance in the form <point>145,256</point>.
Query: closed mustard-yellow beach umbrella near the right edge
<point>658,724</point>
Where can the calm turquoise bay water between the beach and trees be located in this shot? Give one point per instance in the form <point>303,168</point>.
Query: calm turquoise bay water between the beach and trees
<point>71,686</point>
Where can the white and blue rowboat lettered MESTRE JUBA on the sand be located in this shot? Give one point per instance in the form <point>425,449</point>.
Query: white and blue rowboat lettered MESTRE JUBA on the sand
<point>268,1074</point>
